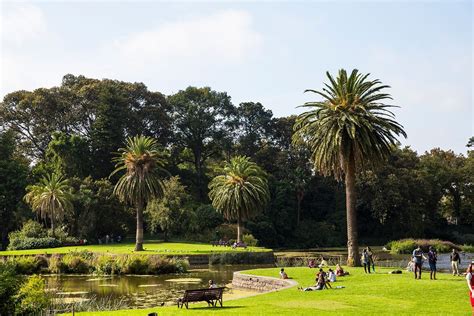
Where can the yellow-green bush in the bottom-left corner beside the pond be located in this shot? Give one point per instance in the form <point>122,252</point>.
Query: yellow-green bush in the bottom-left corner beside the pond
<point>32,297</point>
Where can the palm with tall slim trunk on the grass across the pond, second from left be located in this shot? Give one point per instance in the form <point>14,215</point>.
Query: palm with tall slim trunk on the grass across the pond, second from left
<point>143,163</point>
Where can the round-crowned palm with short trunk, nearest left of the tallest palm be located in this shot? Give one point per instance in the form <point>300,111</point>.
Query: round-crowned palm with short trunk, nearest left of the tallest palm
<point>240,191</point>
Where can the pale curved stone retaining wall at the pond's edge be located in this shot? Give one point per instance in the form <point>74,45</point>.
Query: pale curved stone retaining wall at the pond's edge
<point>260,283</point>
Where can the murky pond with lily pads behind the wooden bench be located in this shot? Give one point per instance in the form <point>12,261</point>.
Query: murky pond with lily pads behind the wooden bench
<point>141,291</point>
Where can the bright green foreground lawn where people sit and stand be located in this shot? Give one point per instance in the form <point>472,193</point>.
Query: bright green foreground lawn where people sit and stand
<point>374,294</point>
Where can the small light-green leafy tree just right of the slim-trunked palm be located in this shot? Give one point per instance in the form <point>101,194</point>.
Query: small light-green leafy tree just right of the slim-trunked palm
<point>168,213</point>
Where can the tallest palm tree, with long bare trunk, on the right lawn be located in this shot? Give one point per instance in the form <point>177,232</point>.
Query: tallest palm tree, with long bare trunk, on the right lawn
<point>350,128</point>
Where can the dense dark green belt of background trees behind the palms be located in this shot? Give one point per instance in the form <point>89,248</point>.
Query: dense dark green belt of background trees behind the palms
<point>77,128</point>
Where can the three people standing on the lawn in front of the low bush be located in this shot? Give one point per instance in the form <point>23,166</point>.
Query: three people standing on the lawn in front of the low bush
<point>418,257</point>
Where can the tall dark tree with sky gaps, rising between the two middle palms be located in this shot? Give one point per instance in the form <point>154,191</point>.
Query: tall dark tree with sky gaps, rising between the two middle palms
<point>201,123</point>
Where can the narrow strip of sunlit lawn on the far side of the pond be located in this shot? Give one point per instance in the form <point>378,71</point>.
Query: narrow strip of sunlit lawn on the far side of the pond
<point>151,247</point>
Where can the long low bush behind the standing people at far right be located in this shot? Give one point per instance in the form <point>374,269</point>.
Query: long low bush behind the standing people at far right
<point>406,246</point>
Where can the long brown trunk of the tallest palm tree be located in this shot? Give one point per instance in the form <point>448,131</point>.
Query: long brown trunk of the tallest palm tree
<point>352,242</point>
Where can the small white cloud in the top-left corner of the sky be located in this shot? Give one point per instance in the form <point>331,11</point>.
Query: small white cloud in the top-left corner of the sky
<point>21,23</point>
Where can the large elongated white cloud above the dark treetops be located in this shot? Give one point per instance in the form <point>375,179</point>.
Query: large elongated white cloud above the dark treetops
<point>226,36</point>
